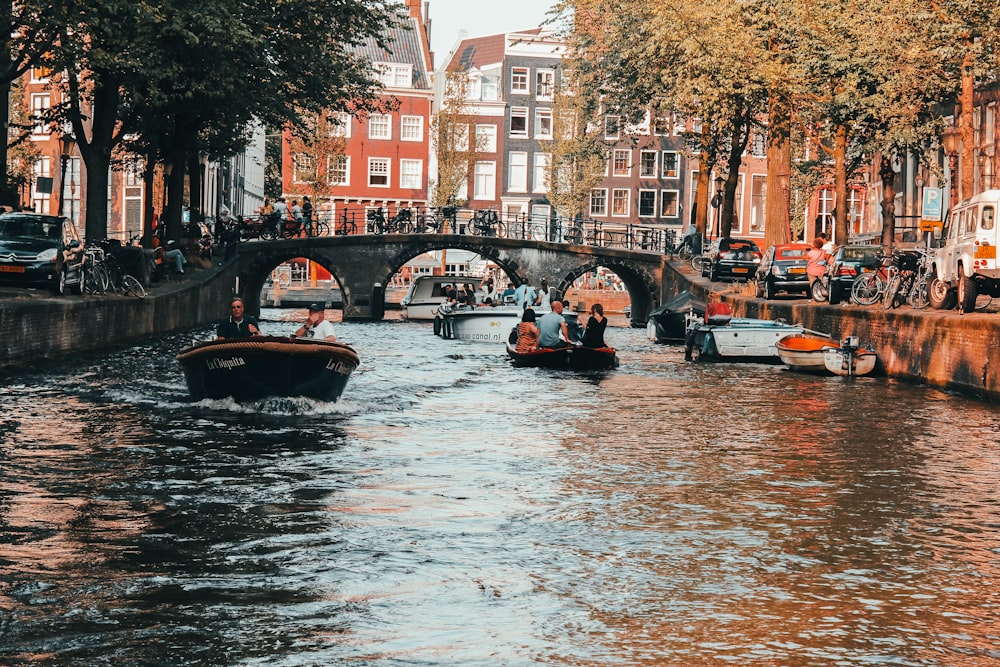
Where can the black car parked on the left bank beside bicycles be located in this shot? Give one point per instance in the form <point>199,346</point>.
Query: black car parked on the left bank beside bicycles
<point>40,249</point>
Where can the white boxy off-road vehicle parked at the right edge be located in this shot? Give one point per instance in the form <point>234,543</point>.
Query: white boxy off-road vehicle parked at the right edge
<point>965,261</point>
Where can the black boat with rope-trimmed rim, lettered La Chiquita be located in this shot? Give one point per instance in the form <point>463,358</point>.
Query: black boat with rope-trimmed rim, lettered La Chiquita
<point>262,366</point>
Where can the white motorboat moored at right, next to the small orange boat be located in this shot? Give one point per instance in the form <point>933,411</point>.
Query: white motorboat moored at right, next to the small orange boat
<point>739,339</point>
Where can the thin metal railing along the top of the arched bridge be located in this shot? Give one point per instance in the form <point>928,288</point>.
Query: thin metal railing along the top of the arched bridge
<point>492,223</point>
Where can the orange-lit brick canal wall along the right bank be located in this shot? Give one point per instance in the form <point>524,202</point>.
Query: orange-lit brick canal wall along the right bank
<point>942,349</point>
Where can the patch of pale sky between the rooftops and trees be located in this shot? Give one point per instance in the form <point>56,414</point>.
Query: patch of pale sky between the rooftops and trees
<point>480,18</point>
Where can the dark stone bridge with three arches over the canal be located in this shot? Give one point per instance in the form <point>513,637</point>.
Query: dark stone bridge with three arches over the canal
<point>362,264</point>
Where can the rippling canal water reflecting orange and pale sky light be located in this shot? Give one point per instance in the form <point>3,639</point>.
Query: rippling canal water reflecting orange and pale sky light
<point>453,510</point>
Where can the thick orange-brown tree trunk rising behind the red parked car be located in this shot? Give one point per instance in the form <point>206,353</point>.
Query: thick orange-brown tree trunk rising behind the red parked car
<point>777,223</point>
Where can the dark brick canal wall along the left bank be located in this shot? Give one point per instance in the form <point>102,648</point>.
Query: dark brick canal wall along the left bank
<point>38,327</point>
